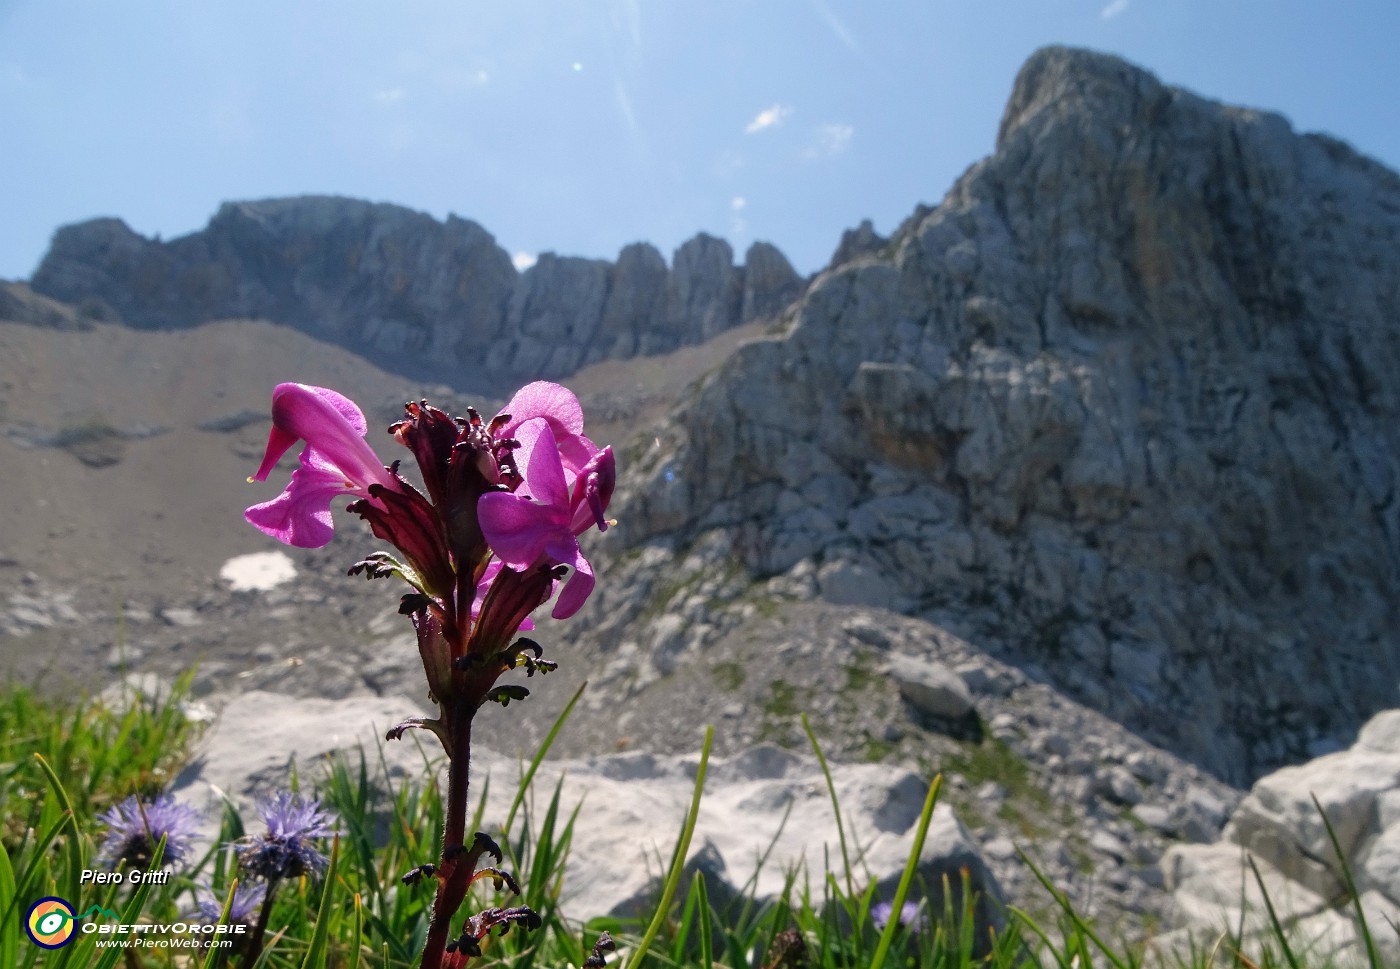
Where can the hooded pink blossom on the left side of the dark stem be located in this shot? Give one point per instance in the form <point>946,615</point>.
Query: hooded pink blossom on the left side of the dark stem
<point>335,463</point>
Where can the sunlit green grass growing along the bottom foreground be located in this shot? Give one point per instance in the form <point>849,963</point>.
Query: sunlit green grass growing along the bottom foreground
<point>61,764</point>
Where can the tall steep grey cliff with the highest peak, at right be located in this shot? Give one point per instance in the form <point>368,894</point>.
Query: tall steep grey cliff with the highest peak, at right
<point>1122,410</point>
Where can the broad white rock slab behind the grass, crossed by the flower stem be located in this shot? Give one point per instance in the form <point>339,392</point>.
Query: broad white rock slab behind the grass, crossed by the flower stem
<point>762,802</point>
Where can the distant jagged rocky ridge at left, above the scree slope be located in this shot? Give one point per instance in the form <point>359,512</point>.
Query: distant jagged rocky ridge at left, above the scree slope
<point>398,285</point>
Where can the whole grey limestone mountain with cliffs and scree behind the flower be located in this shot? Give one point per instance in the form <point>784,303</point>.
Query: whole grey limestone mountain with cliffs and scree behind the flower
<point>1086,468</point>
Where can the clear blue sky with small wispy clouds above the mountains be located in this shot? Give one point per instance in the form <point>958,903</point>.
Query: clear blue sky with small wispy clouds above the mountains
<point>579,127</point>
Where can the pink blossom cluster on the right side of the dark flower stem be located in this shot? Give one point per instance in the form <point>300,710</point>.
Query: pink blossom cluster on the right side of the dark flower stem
<point>541,522</point>
